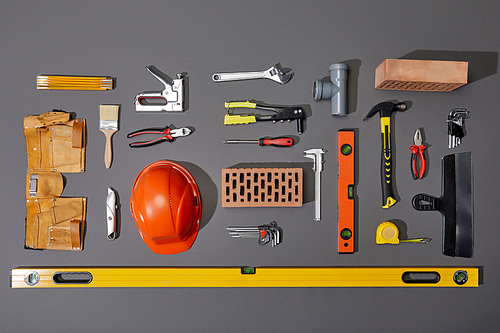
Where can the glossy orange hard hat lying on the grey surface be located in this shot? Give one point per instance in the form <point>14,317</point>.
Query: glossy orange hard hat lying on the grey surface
<point>166,207</point>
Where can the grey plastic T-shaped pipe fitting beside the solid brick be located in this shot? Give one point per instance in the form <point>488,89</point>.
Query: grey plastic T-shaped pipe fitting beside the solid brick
<point>336,89</point>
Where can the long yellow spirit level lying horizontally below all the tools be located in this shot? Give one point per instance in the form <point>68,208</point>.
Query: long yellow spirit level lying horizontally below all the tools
<point>219,277</point>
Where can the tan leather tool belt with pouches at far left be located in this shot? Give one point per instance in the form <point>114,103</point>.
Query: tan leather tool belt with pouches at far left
<point>54,144</point>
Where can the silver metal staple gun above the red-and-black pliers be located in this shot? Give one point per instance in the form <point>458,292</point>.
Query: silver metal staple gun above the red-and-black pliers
<point>170,99</point>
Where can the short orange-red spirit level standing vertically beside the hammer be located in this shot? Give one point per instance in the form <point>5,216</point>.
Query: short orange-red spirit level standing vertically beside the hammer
<point>345,192</point>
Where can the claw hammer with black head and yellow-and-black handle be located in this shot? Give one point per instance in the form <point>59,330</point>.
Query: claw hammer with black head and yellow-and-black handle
<point>386,109</point>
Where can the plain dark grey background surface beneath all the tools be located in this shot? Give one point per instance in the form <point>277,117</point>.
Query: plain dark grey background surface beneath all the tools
<point>119,38</point>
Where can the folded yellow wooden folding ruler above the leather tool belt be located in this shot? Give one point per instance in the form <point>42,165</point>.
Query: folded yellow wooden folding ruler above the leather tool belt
<point>63,82</point>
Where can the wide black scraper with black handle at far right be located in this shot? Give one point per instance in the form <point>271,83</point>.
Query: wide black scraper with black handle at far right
<point>455,204</point>
